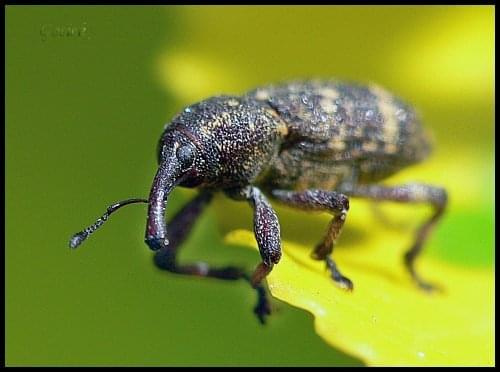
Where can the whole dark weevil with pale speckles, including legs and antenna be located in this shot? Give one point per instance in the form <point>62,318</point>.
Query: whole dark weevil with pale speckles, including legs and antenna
<point>310,144</point>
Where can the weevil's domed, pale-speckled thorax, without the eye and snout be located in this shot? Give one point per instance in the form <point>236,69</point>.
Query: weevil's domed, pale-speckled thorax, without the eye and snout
<point>235,138</point>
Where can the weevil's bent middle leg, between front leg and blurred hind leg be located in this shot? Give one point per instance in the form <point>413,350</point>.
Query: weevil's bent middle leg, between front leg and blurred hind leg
<point>321,200</point>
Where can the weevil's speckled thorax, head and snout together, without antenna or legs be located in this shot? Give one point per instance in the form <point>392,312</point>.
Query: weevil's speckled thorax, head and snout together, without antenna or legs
<point>222,142</point>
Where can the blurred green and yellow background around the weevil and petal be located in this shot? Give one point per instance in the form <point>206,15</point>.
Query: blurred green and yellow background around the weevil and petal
<point>83,116</point>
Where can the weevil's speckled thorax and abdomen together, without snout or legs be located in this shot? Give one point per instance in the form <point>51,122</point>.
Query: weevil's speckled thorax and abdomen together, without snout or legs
<point>300,135</point>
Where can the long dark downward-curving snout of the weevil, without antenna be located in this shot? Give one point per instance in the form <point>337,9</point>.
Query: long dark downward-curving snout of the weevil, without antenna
<point>166,178</point>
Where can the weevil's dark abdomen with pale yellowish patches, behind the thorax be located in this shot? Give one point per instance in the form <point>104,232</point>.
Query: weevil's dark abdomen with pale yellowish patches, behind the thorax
<point>338,131</point>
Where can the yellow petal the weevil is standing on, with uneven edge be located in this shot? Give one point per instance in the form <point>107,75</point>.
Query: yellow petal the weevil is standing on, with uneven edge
<point>386,320</point>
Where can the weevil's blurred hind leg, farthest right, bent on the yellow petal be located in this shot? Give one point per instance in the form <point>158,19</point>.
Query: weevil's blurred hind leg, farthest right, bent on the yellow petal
<point>409,193</point>
